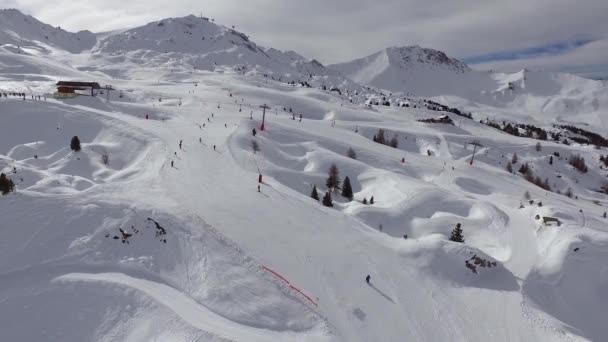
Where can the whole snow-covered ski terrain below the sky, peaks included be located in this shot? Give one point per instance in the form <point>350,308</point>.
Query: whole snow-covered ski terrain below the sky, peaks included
<point>159,229</point>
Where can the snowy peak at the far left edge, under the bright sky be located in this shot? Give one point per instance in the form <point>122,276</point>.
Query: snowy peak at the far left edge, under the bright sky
<point>24,32</point>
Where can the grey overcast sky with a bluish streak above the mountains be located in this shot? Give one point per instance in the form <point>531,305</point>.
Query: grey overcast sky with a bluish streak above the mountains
<point>563,35</point>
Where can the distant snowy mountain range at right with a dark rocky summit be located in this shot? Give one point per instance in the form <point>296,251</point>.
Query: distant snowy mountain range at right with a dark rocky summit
<point>545,96</point>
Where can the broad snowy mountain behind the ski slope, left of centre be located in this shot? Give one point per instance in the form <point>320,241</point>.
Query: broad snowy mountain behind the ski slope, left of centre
<point>205,45</point>
